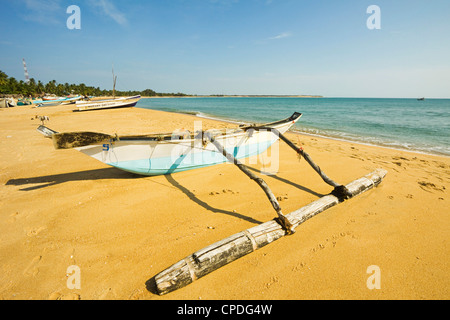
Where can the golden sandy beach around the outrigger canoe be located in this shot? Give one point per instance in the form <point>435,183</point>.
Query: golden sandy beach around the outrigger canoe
<point>60,208</point>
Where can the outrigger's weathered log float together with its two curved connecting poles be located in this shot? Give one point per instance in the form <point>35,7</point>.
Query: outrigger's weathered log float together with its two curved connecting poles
<point>227,250</point>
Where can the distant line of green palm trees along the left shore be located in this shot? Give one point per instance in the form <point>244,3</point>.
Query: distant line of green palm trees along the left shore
<point>10,86</point>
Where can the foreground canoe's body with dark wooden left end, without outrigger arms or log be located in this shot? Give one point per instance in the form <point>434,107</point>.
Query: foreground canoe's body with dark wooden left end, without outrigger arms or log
<point>157,154</point>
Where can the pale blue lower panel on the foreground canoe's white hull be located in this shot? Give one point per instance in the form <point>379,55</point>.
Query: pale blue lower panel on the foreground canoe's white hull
<point>167,165</point>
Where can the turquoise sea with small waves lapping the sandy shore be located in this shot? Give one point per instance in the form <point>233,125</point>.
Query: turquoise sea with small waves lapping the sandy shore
<point>421,126</point>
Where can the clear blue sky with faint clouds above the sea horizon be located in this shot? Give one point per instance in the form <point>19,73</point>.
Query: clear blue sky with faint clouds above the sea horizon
<point>234,46</point>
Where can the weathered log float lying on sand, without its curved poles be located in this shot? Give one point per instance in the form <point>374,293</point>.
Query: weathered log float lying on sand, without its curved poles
<point>238,245</point>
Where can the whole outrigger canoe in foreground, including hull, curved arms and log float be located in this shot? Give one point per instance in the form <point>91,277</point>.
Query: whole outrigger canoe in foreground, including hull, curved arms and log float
<point>103,146</point>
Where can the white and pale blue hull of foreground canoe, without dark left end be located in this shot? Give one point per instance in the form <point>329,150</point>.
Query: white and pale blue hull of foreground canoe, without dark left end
<point>150,157</point>
